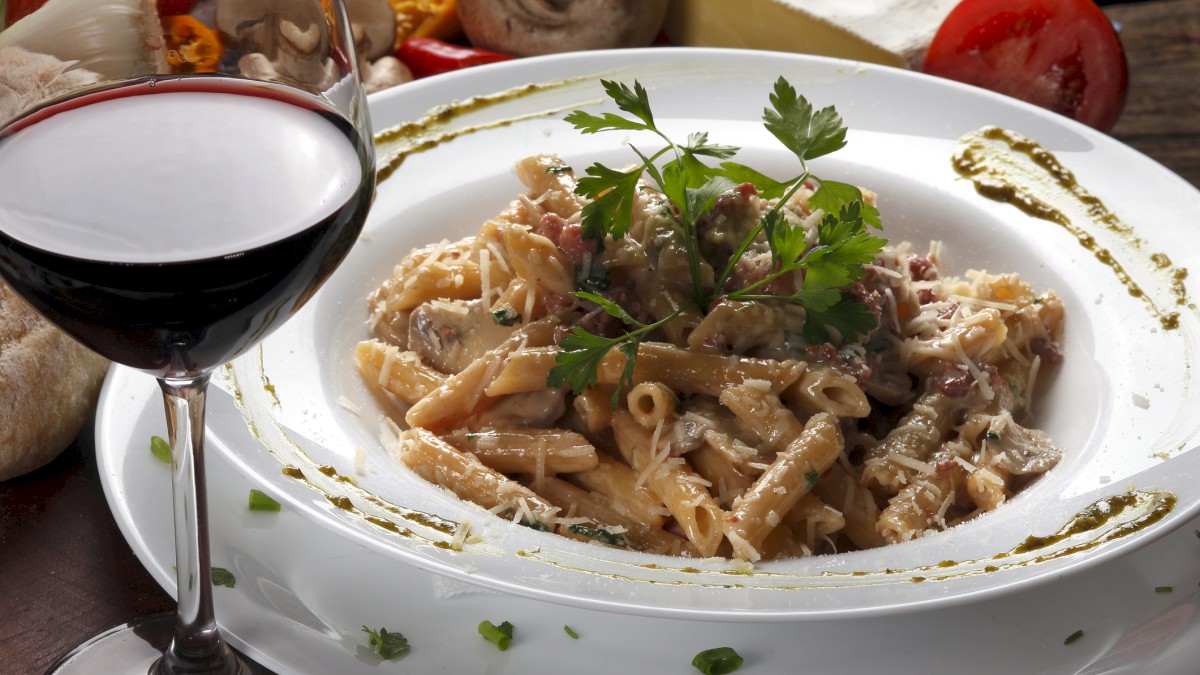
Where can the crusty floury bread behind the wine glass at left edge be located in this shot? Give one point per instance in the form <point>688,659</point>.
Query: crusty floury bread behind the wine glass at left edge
<point>49,387</point>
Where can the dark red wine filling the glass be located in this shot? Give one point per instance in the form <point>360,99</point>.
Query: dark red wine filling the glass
<point>172,224</point>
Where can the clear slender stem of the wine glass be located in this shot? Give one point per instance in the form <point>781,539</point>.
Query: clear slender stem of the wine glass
<point>197,646</point>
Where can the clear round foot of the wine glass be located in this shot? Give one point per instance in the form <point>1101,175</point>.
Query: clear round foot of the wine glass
<point>133,649</point>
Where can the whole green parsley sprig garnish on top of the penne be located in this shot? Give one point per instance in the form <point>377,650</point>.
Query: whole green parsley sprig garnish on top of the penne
<point>692,187</point>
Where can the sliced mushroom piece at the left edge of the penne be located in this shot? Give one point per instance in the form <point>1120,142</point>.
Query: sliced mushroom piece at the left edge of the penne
<point>451,334</point>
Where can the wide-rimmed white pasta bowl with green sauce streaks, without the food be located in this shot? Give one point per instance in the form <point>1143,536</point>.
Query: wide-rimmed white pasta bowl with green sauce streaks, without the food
<point>1121,405</point>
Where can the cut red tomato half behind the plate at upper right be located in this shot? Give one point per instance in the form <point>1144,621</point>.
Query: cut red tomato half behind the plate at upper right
<point>1060,55</point>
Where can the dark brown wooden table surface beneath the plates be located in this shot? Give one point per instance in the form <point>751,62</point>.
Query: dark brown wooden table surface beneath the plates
<point>67,572</point>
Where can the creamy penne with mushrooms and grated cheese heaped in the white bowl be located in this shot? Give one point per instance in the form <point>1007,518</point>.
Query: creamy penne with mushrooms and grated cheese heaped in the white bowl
<point>758,425</point>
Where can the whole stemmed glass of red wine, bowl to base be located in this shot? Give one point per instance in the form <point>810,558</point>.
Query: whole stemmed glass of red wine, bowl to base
<point>173,212</point>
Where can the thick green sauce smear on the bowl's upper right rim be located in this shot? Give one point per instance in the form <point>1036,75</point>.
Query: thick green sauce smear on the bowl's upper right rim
<point>1009,168</point>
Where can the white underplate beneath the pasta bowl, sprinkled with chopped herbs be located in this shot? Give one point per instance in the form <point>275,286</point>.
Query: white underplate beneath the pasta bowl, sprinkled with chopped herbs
<point>303,594</point>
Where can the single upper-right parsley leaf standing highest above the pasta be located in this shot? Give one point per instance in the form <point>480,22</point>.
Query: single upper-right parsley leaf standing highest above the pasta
<point>807,133</point>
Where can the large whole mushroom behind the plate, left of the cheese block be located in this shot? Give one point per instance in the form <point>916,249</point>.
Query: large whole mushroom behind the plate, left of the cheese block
<point>529,28</point>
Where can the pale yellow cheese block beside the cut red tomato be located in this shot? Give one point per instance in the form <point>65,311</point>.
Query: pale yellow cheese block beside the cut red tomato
<point>892,33</point>
